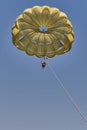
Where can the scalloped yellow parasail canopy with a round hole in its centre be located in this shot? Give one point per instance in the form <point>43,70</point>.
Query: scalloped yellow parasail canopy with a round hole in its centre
<point>43,31</point>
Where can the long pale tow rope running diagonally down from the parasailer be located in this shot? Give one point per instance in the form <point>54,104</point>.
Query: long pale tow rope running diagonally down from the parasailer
<point>67,94</point>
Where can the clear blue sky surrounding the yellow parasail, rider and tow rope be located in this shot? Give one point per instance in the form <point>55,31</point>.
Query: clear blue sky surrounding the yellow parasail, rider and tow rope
<point>30,98</point>
